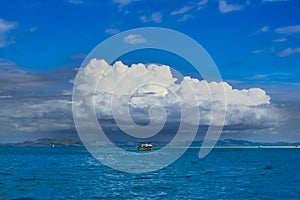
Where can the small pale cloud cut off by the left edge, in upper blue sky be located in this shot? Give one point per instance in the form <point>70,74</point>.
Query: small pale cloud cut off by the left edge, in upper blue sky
<point>5,27</point>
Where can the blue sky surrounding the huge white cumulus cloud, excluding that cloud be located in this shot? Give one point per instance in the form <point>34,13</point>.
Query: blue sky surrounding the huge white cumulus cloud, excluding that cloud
<point>255,43</point>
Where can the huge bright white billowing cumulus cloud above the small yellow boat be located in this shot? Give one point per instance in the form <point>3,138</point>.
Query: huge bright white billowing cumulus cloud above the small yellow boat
<point>247,106</point>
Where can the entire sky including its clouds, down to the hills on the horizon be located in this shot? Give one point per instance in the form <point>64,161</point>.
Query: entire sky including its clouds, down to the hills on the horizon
<point>254,43</point>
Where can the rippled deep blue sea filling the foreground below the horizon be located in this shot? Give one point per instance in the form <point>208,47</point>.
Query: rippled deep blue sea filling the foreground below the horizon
<point>72,173</point>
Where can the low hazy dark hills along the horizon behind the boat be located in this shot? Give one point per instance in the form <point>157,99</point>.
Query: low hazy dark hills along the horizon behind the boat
<point>65,142</point>
